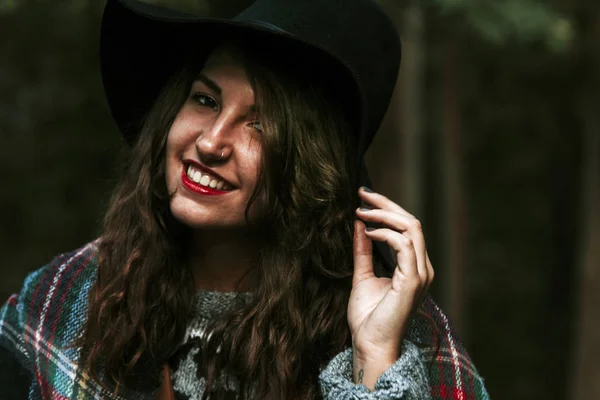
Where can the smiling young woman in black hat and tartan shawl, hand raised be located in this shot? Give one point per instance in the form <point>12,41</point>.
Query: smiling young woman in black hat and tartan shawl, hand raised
<point>235,261</point>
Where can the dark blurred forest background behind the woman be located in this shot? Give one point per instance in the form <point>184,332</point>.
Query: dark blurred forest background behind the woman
<point>492,140</point>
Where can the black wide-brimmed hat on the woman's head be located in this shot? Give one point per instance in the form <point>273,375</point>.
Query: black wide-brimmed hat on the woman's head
<point>351,43</point>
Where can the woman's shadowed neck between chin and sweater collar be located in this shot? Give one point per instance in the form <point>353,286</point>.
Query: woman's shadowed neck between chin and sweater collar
<point>222,261</point>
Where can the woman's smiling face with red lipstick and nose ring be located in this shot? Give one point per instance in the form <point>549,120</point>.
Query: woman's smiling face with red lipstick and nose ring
<point>214,148</point>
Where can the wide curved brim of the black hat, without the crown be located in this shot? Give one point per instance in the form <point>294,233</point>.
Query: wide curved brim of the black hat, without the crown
<point>143,45</point>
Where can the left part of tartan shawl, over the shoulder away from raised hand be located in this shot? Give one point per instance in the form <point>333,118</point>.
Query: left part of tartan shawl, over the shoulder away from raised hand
<point>40,323</point>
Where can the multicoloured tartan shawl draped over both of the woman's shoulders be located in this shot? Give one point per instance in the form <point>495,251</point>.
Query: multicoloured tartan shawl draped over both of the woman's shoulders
<point>39,324</point>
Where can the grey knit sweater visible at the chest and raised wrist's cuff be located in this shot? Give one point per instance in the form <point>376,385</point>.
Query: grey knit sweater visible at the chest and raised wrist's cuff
<point>406,379</point>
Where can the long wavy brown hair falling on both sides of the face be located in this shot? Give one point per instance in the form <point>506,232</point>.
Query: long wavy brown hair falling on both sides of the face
<point>296,321</point>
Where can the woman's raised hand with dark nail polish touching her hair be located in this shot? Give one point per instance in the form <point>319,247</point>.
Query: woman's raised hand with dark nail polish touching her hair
<point>380,309</point>
